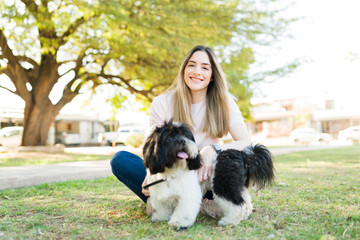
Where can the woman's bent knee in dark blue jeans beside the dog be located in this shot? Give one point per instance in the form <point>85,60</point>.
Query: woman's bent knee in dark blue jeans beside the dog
<point>130,170</point>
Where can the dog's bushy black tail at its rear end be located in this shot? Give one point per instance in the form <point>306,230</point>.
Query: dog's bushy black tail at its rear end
<point>259,166</point>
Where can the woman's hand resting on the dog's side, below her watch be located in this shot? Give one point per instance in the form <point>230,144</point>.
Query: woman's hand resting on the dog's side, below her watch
<point>207,155</point>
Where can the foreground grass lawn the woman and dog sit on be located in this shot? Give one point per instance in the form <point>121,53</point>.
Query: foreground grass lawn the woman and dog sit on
<point>316,196</point>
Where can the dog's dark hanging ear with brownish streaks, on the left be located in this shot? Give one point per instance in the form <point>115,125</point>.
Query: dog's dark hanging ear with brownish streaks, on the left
<point>152,154</point>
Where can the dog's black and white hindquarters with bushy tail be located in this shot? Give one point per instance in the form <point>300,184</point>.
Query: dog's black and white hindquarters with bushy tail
<point>233,173</point>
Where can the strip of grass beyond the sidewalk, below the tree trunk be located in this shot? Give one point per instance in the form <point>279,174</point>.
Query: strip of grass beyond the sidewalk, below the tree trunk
<point>39,158</point>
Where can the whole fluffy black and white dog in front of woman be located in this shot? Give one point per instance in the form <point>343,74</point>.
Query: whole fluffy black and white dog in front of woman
<point>171,156</point>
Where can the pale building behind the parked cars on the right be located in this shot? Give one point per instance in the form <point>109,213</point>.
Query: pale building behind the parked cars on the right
<point>327,113</point>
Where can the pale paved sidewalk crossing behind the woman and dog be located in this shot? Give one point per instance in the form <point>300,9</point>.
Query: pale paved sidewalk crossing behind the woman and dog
<point>16,177</point>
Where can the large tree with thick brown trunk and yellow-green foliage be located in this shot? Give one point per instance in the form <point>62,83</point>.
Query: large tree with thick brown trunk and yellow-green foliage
<point>64,45</point>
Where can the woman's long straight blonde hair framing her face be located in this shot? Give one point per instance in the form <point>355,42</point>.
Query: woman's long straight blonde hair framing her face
<point>217,116</point>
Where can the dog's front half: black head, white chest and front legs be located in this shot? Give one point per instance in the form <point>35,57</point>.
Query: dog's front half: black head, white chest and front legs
<point>170,157</point>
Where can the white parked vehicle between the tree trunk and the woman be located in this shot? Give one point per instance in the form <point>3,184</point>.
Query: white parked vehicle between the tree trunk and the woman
<point>120,136</point>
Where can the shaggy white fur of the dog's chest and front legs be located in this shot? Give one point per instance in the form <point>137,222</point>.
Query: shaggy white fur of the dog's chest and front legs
<point>178,199</point>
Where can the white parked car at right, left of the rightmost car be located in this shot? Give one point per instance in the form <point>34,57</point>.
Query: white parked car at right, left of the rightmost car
<point>308,135</point>
